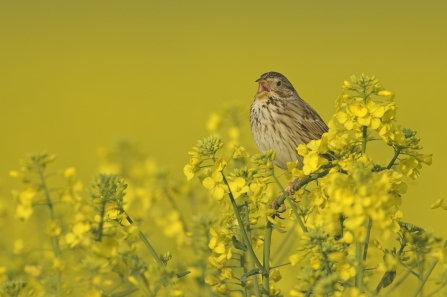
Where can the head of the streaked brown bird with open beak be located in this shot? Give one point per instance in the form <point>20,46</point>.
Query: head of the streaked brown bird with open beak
<point>274,84</point>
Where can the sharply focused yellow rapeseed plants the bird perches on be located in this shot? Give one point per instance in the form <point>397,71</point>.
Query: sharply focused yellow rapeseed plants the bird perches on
<point>339,196</point>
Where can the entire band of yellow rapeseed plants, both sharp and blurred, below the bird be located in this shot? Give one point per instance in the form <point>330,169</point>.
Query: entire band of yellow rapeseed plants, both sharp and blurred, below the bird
<point>228,229</point>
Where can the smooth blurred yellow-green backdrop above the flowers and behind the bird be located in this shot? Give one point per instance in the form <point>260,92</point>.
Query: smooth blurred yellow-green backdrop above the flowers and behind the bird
<point>76,75</point>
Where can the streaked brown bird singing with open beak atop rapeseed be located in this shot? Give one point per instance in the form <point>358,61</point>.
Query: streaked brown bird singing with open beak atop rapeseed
<point>281,120</point>
